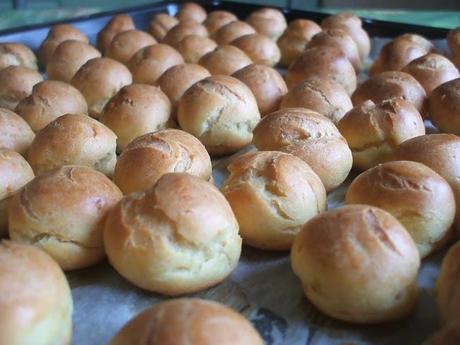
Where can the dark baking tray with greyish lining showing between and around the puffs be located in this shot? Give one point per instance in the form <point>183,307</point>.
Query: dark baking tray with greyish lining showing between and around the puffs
<point>263,286</point>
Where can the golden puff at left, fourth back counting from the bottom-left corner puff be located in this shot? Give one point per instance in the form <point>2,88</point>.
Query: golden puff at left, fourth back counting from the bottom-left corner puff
<point>49,100</point>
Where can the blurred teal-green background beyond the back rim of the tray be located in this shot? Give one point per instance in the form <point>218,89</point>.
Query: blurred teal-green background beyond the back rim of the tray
<point>437,13</point>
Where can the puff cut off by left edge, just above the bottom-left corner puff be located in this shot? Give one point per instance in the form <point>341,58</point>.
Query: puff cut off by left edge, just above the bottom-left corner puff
<point>15,172</point>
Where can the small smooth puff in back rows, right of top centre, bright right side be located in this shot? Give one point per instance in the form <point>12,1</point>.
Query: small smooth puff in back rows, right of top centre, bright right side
<point>259,48</point>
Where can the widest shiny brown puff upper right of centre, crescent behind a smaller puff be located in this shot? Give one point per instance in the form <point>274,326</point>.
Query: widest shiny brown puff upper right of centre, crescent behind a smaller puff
<point>323,62</point>
